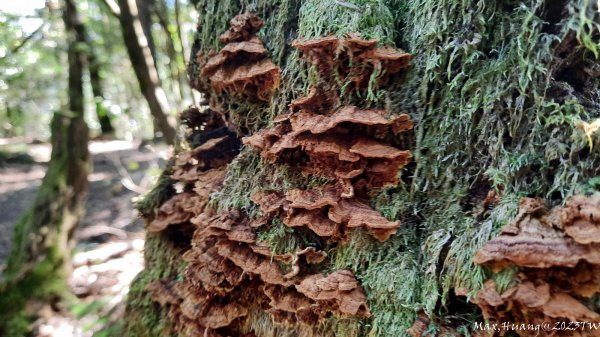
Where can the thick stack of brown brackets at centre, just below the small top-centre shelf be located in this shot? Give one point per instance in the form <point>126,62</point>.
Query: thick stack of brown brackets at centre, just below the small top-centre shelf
<point>318,145</point>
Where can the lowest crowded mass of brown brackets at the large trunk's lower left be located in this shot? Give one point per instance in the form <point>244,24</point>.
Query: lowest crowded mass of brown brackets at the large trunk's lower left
<point>229,271</point>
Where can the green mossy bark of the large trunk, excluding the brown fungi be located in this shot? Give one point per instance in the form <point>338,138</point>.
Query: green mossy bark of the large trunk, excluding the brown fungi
<point>498,92</point>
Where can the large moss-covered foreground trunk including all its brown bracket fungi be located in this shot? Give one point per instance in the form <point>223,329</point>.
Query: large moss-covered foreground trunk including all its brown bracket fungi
<point>503,97</point>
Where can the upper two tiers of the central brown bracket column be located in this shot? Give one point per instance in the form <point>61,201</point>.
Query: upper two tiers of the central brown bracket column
<point>313,136</point>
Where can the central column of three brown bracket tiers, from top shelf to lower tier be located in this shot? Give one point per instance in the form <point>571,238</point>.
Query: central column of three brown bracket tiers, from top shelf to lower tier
<point>346,144</point>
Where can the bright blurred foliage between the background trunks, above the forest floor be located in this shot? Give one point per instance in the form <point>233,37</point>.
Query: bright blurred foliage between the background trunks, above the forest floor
<point>33,61</point>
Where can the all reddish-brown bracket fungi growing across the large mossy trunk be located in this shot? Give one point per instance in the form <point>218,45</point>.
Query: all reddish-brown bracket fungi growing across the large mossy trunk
<point>231,273</point>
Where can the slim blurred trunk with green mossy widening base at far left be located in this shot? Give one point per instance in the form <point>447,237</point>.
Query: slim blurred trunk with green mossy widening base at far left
<point>39,260</point>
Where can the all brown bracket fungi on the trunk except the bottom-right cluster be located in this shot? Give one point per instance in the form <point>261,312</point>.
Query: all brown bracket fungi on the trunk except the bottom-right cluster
<point>230,273</point>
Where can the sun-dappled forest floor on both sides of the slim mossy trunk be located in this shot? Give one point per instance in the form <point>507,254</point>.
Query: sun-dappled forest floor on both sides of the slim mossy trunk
<point>109,249</point>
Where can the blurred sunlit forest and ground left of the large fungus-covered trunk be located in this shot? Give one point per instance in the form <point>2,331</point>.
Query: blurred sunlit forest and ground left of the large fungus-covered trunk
<point>128,148</point>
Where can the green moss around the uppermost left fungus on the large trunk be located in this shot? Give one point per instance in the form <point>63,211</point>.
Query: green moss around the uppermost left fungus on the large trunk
<point>280,17</point>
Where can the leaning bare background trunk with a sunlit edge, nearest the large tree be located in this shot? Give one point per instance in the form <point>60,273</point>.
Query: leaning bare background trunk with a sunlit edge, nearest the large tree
<point>144,67</point>
